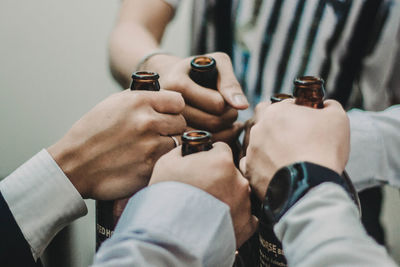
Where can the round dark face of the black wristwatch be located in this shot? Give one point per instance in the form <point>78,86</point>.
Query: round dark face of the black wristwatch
<point>278,190</point>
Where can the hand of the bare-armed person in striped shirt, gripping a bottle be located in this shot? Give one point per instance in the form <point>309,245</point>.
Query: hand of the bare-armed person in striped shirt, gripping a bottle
<point>206,109</point>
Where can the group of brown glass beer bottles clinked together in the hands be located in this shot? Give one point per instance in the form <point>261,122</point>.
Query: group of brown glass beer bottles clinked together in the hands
<point>263,248</point>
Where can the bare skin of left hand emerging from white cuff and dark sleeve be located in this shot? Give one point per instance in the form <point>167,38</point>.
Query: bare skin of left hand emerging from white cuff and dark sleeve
<point>110,152</point>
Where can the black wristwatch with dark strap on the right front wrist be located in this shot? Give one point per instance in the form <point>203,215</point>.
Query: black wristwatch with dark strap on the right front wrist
<point>291,183</point>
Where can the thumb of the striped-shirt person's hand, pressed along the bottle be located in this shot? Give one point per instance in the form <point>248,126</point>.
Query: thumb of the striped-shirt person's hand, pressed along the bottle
<point>228,85</point>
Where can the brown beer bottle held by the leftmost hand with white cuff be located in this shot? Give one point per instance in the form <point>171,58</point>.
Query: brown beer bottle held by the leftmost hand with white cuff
<point>109,211</point>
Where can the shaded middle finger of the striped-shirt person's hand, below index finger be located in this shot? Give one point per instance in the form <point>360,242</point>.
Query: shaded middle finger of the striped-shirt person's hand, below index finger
<point>202,120</point>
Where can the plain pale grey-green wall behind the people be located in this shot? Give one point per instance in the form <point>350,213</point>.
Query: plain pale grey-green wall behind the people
<point>53,69</point>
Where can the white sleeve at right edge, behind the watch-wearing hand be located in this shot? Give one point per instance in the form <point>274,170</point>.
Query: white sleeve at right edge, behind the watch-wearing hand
<point>375,148</point>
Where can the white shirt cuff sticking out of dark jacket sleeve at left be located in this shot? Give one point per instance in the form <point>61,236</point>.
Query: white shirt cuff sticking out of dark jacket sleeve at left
<point>42,200</point>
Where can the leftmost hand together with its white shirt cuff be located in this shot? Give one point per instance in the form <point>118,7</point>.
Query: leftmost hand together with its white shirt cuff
<point>98,158</point>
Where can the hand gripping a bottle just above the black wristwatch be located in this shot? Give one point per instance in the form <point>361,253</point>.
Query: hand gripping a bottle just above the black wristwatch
<point>285,133</point>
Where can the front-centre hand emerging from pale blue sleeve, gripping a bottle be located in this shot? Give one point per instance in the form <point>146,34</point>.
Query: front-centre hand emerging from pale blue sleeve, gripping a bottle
<point>214,172</point>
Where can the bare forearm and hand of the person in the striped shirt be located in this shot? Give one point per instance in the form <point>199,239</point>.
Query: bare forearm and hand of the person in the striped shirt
<point>138,32</point>
